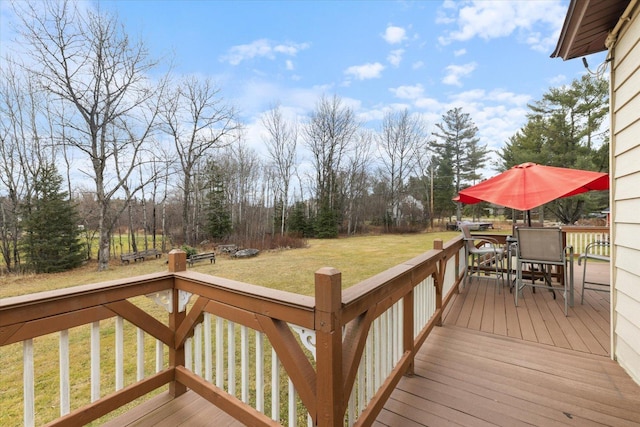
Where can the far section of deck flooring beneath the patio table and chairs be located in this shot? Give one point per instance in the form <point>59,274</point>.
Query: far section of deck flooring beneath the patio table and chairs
<point>538,317</point>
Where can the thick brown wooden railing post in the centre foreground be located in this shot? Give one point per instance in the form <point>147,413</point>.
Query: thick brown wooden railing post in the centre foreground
<point>329,384</point>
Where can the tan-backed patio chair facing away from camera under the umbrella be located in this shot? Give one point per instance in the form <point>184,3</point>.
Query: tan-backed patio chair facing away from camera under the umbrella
<point>544,247</point>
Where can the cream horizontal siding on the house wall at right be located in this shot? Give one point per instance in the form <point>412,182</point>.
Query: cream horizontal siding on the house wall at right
<point>625,197</point>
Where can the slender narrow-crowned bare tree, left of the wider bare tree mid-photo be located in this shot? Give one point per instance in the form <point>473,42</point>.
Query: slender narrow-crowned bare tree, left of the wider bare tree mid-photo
<point>281,146</point>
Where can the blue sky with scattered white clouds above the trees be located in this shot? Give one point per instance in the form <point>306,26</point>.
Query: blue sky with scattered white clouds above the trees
<point>490,58</point>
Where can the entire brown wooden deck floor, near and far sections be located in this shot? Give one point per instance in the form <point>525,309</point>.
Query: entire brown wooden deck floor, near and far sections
<point>491,363</point>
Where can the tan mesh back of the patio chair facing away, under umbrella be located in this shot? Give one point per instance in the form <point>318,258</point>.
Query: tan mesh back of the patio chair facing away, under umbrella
<point>540,244</point>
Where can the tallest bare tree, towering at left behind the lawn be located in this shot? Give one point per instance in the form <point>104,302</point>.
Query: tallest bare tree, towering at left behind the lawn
<point>88,61</point>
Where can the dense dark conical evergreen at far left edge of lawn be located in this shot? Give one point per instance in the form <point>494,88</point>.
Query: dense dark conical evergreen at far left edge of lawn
<point>50,240</point>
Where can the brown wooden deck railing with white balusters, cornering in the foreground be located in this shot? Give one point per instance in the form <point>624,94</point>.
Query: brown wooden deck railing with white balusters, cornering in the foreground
<point>264,356</point>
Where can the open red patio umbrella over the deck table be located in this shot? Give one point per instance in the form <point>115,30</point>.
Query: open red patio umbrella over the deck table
<point>530,185</point>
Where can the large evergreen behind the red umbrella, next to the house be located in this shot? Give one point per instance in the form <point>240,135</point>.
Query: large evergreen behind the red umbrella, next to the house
<point>564,129</point>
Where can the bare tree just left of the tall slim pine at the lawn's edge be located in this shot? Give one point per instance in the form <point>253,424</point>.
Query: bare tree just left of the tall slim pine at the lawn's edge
<point>402,138</point>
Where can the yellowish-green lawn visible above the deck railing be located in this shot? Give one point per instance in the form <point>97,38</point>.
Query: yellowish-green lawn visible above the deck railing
<point>357,258</point>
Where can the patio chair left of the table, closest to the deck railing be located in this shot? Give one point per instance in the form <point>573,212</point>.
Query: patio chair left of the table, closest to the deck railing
<point>486,256</point>
